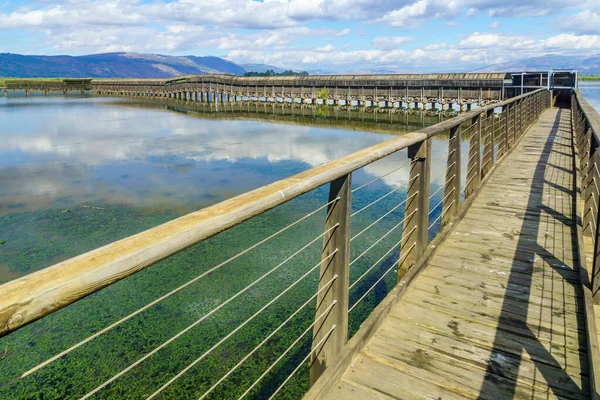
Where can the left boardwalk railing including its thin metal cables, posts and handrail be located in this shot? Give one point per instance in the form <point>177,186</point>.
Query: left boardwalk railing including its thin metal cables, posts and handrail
<point>397,240</point>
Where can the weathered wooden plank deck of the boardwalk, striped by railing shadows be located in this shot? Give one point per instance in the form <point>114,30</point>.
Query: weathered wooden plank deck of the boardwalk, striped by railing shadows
<point>498,311</point>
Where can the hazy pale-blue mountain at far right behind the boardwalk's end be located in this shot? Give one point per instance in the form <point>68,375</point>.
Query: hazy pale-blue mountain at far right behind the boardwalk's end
<point>588,65</point>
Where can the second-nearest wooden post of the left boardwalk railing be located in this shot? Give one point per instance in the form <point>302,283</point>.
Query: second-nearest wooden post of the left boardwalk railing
<point>416,214</point>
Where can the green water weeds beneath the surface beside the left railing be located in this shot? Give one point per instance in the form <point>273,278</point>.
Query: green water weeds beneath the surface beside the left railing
<point>61,235</point>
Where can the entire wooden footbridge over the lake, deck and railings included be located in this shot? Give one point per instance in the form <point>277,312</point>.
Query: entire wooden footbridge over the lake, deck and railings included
<point>500,304</point>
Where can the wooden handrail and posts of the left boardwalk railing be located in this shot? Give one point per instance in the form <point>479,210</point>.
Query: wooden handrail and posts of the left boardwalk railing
<point>492,134</point>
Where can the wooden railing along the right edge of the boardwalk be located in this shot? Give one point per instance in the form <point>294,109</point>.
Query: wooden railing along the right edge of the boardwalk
<point>586,128</point>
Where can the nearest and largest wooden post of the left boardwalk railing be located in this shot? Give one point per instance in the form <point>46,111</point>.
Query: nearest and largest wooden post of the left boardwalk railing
<point>335,265</point>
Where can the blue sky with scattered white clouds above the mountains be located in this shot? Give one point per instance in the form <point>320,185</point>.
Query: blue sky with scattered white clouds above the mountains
<point>325,35</point>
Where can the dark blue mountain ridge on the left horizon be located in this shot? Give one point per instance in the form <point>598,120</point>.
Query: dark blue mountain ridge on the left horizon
<point>113,65</point>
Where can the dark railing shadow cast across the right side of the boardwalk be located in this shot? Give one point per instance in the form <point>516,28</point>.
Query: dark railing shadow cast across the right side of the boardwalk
<point>542,215</point>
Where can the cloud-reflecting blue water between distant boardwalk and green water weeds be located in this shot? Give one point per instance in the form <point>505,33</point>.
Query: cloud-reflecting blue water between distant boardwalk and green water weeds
<point>62,152</point>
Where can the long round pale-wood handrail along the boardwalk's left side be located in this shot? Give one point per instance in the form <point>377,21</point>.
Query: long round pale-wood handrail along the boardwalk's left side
<point>31,297</point>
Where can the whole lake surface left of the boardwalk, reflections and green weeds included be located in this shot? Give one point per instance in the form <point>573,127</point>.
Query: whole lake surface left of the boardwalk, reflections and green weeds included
<point>80,172</point>
